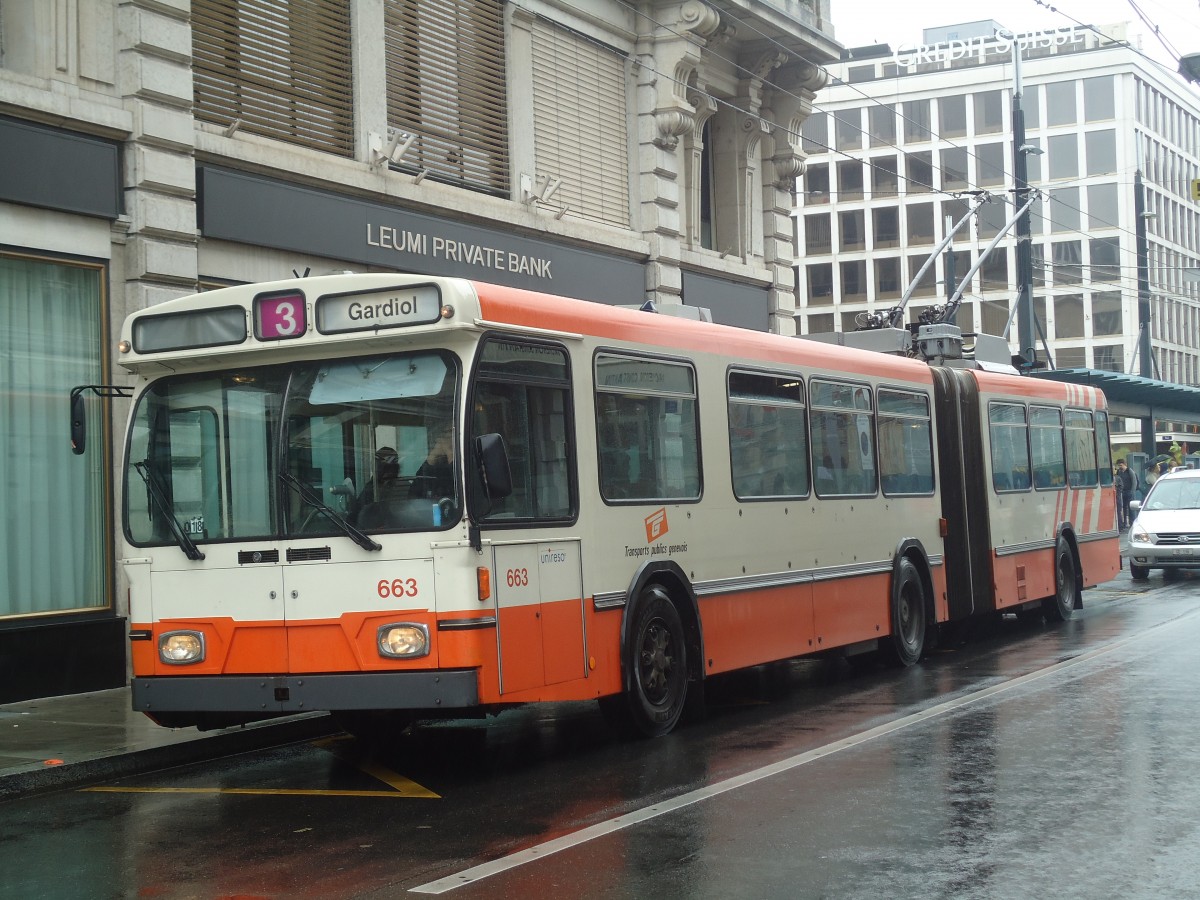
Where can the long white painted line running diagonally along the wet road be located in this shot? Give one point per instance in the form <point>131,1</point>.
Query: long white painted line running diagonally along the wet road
<point>487,871</point>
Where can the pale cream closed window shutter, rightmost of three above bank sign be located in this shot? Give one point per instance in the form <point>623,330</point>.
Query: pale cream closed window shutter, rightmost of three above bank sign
<point>581,123</point>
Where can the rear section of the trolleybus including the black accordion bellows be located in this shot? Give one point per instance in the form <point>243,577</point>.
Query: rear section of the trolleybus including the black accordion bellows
<point>1028,499</point>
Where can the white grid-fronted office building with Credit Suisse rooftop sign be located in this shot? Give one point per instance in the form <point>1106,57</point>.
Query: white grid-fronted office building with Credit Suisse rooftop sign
<point>908,137</point>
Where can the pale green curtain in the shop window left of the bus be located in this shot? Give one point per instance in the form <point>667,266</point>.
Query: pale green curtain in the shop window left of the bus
<point>52,533</point>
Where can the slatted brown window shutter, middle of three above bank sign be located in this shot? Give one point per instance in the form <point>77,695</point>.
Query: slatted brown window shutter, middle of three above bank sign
<point>447,87</point>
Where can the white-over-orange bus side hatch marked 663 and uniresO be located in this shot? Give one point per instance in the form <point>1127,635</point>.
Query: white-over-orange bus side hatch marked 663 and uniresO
<point>539,614</point>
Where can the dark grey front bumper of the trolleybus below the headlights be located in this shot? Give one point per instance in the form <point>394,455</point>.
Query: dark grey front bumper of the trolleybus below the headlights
<point>274,695</point>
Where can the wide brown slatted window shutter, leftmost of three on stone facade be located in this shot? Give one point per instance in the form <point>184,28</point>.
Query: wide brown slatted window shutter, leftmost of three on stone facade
<point>281,68</point>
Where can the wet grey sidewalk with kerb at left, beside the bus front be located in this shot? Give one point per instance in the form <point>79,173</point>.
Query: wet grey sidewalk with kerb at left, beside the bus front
<point>57,743</point>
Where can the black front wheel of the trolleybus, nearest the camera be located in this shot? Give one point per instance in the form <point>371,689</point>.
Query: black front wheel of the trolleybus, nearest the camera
<point>657,667</point>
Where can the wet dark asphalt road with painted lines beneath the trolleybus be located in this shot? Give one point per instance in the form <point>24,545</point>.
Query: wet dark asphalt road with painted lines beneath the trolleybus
<point>1034,761</point>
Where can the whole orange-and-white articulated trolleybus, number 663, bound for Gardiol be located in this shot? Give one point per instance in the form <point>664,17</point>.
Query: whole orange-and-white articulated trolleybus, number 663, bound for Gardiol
<point>401,497</point>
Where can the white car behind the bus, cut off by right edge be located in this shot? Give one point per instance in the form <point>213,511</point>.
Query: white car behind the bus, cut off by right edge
<point>1167,532</point>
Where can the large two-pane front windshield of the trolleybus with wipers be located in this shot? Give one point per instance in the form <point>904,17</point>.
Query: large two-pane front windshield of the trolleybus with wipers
<point>322,448</point>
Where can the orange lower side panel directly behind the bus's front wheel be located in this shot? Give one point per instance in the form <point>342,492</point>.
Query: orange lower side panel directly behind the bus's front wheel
<point>746,629</point>
